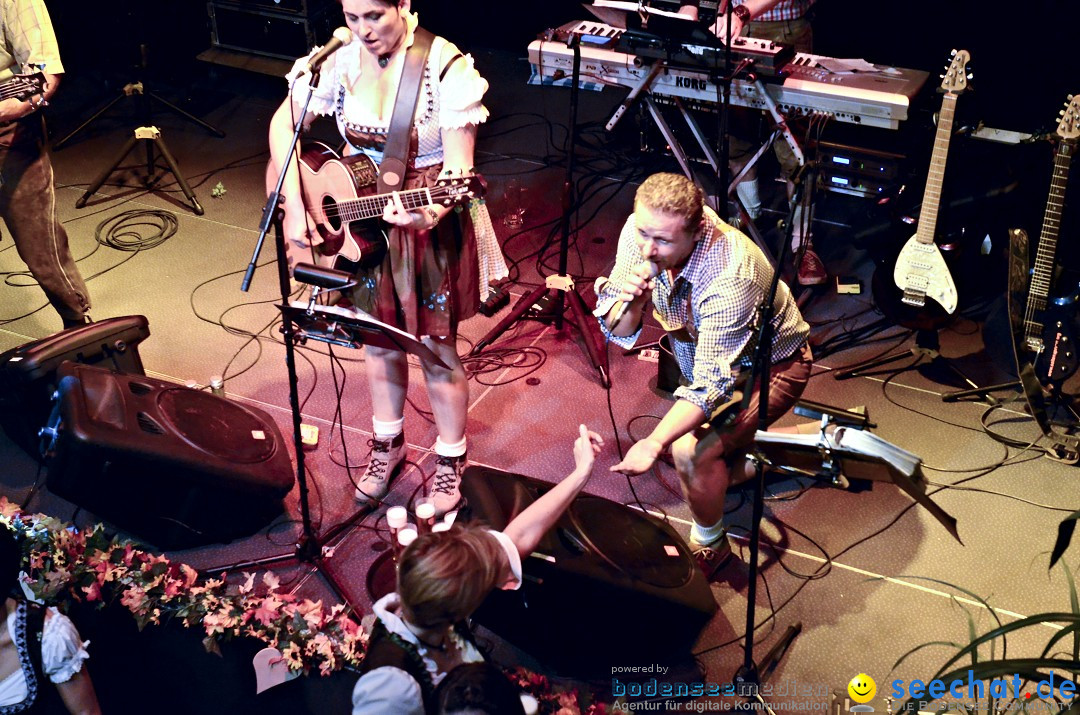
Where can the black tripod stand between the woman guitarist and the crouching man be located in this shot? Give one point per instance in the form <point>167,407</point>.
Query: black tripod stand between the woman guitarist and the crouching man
<point>562,285</point>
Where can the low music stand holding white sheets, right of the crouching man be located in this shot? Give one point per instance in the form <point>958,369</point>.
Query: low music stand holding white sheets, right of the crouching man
<point>849,453</point>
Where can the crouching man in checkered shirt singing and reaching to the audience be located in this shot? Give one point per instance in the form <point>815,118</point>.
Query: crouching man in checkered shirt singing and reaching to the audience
<point>707,281</point>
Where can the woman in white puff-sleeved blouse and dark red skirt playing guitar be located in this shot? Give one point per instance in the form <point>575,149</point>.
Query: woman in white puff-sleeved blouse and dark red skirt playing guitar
<point>436,257</point>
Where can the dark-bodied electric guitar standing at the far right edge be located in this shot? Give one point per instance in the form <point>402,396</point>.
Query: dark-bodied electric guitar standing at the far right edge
<point>1049,341</point>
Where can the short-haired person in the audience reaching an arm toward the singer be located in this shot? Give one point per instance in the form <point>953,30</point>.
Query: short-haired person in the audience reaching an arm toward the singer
<point>421,632</point>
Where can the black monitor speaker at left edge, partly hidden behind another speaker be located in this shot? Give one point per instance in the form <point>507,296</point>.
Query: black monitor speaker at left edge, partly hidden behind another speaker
<point>29,373</point>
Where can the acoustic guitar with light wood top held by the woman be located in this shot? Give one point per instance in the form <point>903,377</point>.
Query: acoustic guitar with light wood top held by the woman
<point>342,200</point>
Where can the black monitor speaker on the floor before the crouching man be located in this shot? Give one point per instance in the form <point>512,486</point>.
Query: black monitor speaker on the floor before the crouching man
<point>609,587</point>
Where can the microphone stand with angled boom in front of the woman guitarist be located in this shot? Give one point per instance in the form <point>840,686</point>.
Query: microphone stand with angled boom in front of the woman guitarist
<point>310,549</point>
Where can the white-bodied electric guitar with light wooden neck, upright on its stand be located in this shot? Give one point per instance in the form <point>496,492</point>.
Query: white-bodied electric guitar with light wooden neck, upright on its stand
<point>921,272</point>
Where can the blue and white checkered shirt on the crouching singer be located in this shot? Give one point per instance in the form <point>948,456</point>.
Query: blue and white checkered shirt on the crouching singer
<point>709,309</point>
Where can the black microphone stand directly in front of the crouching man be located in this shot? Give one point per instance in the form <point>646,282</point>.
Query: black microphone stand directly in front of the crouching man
<point>748,679</point>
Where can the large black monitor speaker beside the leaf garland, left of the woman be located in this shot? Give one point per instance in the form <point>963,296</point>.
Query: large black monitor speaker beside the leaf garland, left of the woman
<point>174,466</point>
